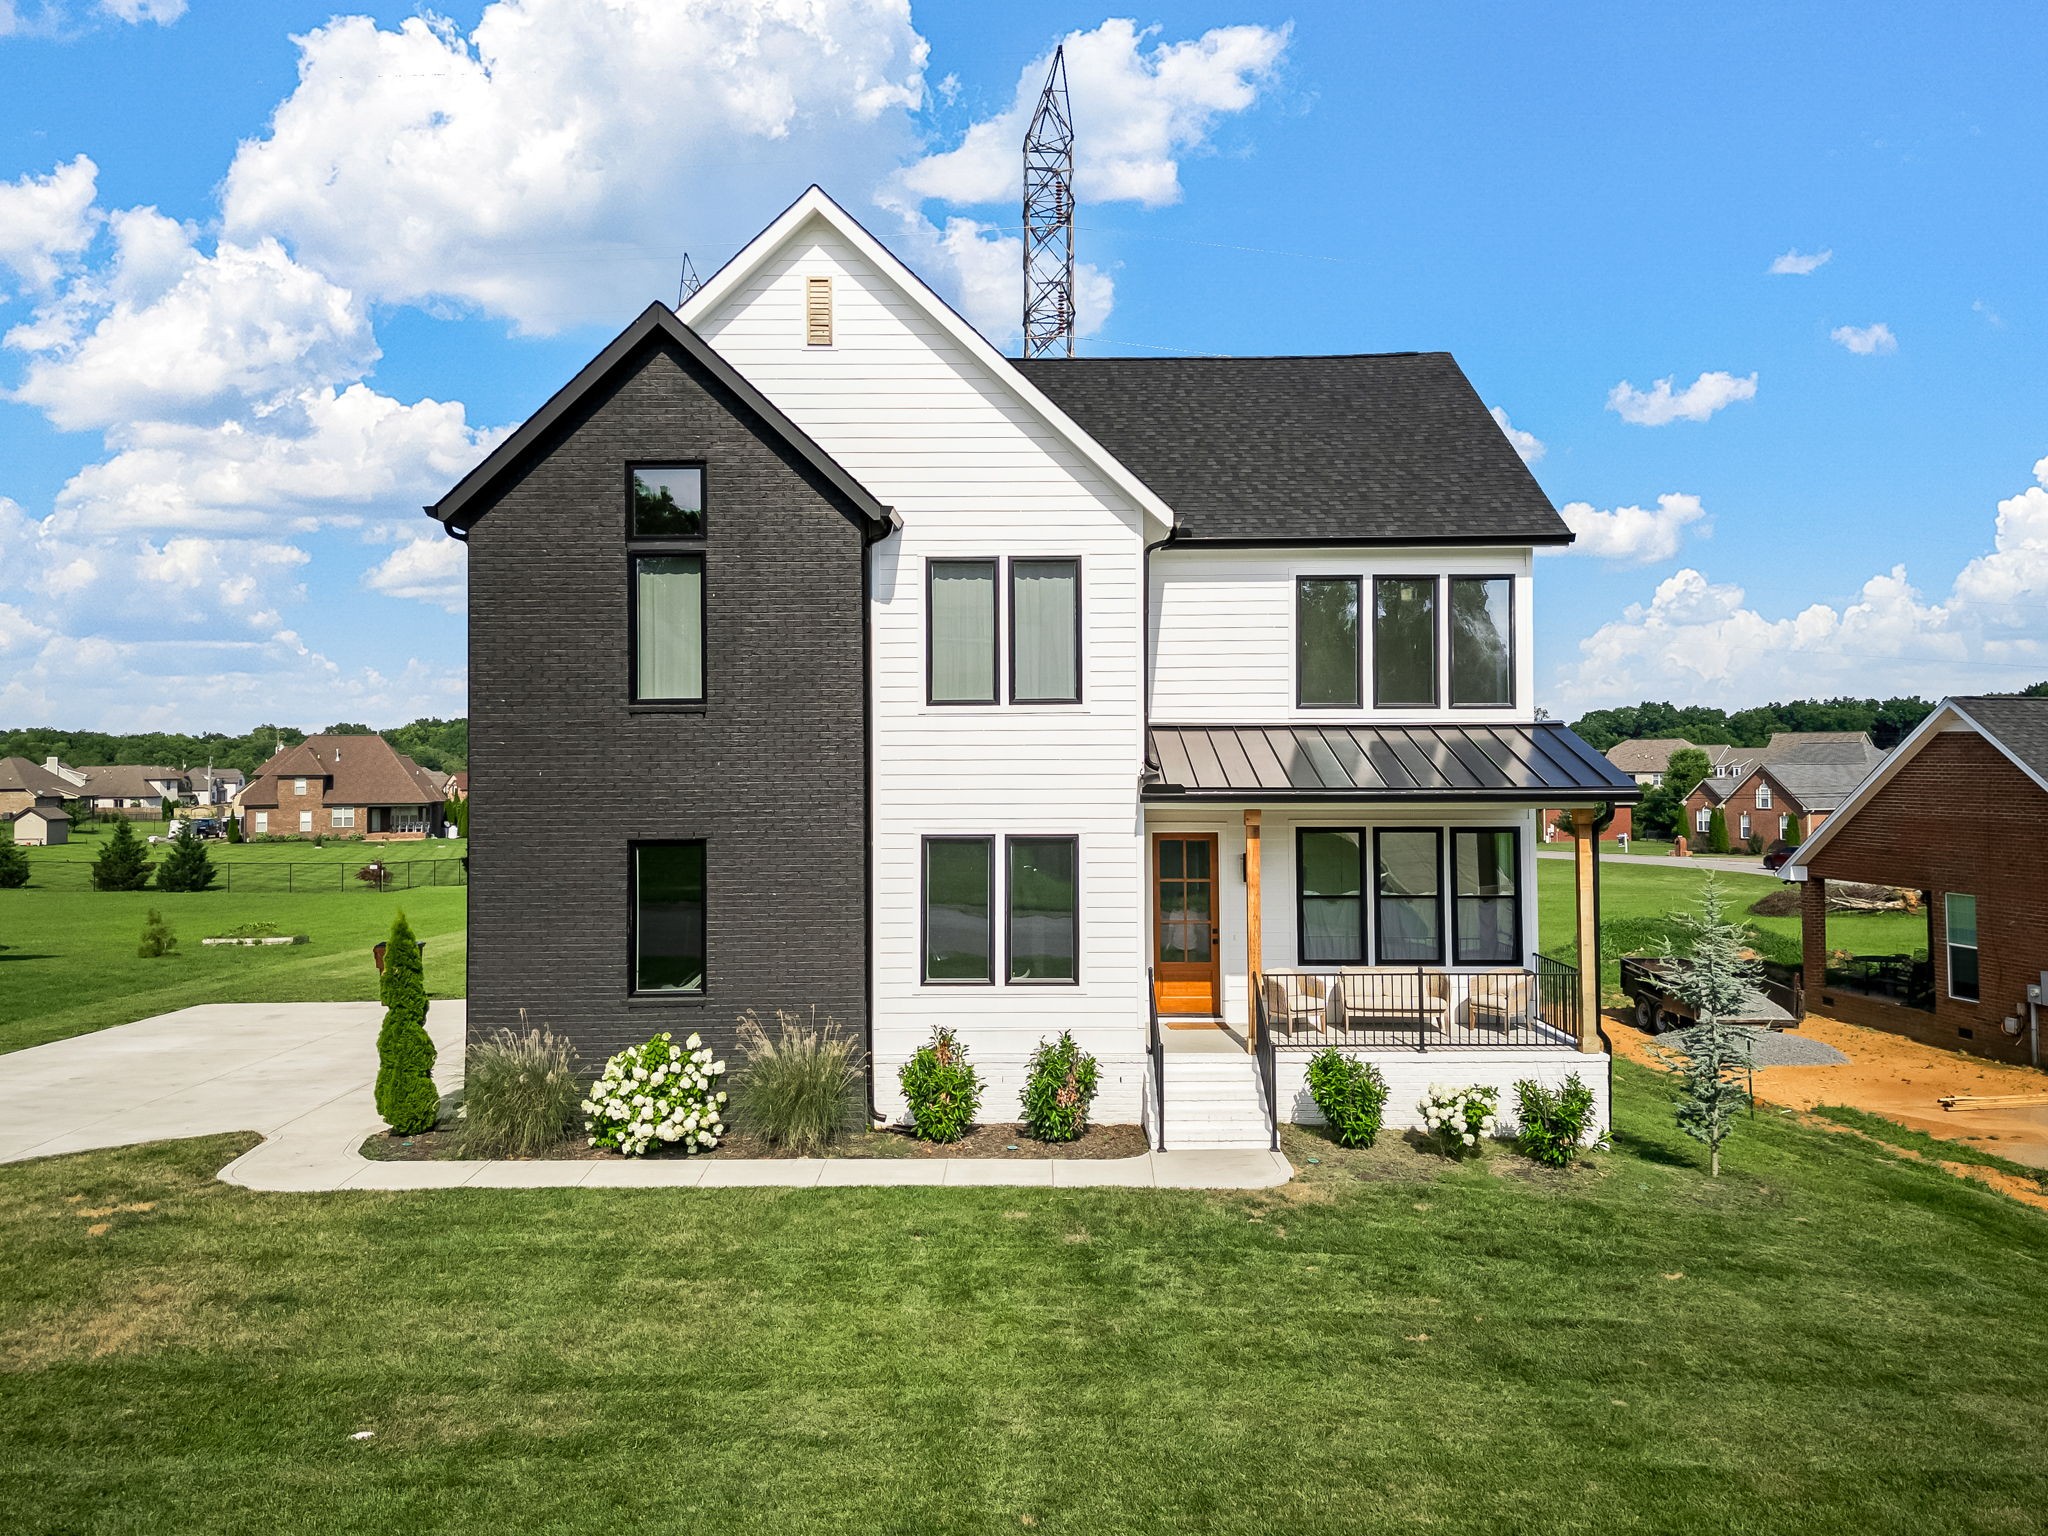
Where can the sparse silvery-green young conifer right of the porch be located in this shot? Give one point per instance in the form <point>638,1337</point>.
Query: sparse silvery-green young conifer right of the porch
<point>1713,1062</point>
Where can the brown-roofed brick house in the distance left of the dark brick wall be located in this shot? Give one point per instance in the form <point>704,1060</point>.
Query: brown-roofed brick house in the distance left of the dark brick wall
<point>343,787</point>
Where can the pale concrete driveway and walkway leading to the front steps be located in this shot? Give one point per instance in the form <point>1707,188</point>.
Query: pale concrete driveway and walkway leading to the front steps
<point>304,1076</point>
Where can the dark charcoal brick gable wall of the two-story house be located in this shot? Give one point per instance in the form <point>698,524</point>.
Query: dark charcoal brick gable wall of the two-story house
<point>564,775</point>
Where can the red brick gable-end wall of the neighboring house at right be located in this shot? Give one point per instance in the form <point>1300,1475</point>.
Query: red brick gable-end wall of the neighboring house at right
<point>1957,818</point>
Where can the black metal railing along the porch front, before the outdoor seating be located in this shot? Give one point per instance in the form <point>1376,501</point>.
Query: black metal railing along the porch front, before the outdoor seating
<point>1422,1009</point>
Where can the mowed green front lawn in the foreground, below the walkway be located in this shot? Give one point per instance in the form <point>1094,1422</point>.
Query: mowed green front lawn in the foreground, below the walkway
<point>1824,1340</point>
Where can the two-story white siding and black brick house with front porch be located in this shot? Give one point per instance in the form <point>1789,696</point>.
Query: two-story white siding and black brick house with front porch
<point>1183,703</point>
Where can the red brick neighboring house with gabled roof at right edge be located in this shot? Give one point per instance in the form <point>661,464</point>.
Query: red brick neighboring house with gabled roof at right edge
<point>1961,814</point>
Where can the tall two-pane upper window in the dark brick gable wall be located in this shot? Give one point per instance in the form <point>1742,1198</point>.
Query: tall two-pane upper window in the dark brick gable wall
<point>667,585</point>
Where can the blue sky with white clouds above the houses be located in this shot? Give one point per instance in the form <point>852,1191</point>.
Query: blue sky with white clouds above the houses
<point>222,417</point>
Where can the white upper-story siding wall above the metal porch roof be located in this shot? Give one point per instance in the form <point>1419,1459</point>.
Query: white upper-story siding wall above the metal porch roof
<point>1224,632</point>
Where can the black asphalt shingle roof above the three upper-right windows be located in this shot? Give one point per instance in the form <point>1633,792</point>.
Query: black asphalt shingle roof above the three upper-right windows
<point>1390,447</point>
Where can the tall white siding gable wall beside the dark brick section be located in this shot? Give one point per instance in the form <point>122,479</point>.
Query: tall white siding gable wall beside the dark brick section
<point>972,472</point>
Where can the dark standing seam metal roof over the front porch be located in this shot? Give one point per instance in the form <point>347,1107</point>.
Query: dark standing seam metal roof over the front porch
<point>1541,763</point>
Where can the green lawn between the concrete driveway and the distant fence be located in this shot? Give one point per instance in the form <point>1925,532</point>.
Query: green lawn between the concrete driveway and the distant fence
<point>69,959</point>
